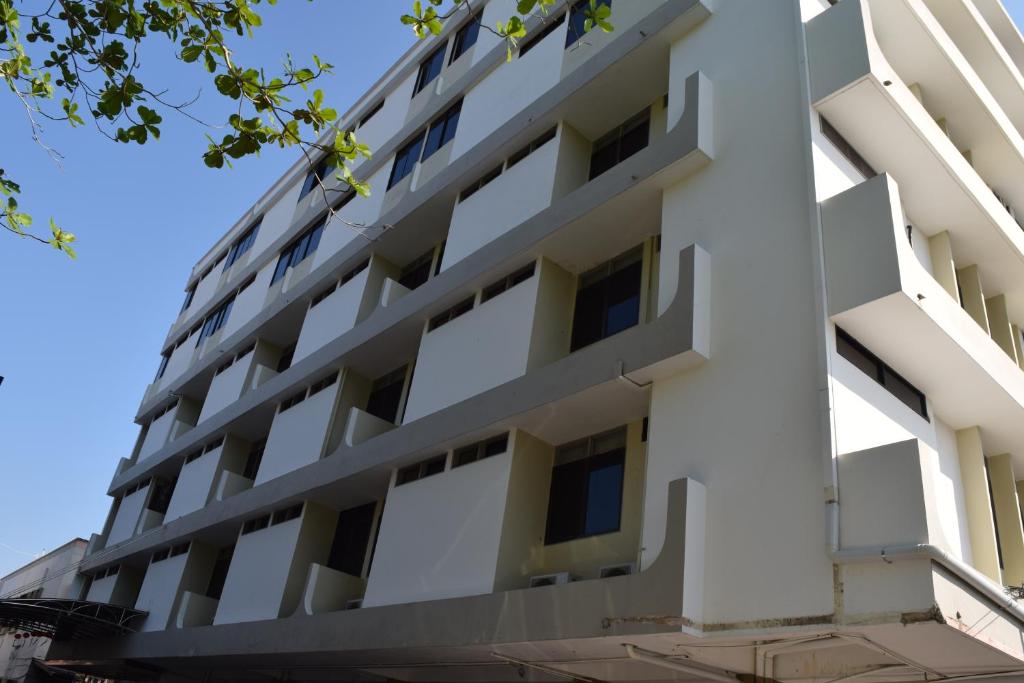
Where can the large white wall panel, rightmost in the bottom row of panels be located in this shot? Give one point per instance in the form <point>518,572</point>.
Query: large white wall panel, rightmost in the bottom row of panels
<point>440,537</point>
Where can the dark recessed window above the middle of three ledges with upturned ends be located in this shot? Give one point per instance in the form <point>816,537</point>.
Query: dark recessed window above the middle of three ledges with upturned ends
<point>609,300</point>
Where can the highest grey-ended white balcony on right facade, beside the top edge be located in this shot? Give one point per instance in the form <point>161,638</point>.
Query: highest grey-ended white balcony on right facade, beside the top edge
<point>862,73</point>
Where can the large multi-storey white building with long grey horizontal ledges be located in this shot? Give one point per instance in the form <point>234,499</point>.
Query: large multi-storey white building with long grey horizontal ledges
<point>688,352</point>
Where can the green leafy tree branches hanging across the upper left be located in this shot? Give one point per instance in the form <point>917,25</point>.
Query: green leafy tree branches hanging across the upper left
<point>78,61</point>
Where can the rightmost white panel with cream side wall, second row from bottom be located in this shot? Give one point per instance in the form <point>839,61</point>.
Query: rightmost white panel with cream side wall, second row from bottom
<point>522,329</point>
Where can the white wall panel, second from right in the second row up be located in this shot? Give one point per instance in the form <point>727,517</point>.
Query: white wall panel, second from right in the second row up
<point>297,436</point>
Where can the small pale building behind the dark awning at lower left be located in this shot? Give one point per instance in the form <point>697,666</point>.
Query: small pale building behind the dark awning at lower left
<point>53,576</point>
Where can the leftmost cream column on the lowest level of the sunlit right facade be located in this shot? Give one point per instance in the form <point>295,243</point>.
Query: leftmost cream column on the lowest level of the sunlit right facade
<point>979,509</point>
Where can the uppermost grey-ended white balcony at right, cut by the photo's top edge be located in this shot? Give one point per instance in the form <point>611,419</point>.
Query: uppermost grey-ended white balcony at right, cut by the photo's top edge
<point>855,87</point>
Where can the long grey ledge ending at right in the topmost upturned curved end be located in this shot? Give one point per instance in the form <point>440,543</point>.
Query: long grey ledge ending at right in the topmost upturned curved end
<point>686,149</point>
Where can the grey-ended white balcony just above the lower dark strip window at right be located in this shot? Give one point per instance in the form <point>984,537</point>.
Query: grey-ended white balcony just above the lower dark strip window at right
<point>881,294</point>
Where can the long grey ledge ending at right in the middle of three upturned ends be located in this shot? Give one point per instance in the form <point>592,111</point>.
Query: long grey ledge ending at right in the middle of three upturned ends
<point>585,389</point>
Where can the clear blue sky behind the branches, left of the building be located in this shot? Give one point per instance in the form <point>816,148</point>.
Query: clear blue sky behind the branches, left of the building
<point>79,341</point>
